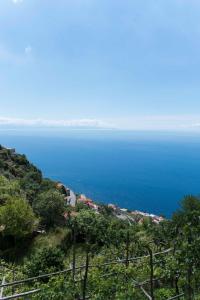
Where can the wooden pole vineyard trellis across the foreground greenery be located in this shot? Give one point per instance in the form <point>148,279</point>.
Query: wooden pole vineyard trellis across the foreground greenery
<point>86,268</point>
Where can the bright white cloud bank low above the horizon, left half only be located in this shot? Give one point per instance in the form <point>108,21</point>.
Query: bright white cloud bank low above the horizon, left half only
<point>82,123</point>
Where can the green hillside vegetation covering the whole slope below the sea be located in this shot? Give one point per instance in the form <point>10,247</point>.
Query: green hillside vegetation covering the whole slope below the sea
<point>95,254</point>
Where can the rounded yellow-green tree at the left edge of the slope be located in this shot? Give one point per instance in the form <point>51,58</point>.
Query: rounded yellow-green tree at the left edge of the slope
<point>17,218</point>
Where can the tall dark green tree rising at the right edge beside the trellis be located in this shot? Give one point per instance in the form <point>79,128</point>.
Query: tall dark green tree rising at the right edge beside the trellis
<point>187,240</point>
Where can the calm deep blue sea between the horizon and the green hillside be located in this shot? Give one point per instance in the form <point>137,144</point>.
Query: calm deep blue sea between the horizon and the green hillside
<point>147,171</point>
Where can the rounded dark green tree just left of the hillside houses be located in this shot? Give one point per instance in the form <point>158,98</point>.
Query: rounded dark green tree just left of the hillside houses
<point>50,207</point>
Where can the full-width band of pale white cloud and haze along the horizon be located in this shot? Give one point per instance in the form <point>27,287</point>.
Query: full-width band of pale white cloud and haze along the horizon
<point>159,122</point>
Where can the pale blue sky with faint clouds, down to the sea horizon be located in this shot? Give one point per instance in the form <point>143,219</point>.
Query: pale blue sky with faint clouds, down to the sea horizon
<point>129,64</point>
